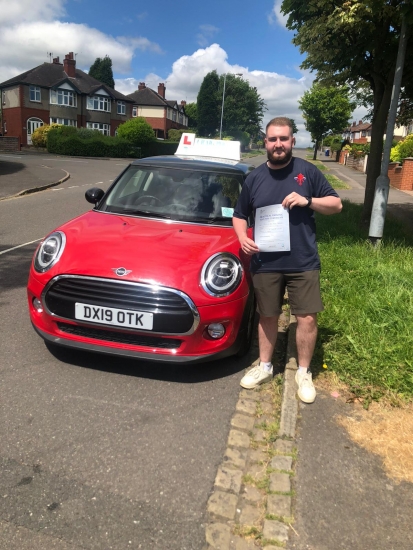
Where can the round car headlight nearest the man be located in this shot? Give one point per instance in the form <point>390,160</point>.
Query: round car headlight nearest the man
<point>221,274</point>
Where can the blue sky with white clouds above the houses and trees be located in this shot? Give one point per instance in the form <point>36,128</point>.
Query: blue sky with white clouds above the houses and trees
<point>174,43</point>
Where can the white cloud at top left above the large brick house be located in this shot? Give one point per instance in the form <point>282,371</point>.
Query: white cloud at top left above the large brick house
<point>29,30</point>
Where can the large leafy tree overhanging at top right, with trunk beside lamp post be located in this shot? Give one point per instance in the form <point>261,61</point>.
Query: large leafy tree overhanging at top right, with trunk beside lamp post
<point>355,42</point>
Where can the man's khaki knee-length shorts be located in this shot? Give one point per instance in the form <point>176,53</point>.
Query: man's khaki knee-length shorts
<point>303,292</point>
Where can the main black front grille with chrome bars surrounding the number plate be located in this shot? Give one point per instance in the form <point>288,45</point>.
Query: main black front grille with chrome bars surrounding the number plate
<point>172,312</point>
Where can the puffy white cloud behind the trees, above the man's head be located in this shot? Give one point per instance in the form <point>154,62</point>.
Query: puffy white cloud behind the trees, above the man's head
<point>280,93</point>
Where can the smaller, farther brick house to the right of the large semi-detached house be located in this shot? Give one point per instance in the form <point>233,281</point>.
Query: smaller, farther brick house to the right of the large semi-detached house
<point>162,114</point>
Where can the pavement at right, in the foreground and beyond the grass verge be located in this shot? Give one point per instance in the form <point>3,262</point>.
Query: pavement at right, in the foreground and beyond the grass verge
<point>343,497</point>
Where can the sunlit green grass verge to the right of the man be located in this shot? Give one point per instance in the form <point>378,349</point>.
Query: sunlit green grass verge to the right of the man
<point>366,330</point>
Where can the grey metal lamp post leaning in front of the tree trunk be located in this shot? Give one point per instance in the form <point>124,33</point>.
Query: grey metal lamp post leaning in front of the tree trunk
<point>381,194</point>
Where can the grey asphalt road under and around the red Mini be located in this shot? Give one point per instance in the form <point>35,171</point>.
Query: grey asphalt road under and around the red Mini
<point>98,452</point>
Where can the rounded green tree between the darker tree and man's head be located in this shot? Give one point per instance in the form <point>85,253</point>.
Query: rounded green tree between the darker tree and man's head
<point>243,106</point>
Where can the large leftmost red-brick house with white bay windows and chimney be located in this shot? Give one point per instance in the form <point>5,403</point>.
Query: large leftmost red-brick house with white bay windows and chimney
<point>58,92</point>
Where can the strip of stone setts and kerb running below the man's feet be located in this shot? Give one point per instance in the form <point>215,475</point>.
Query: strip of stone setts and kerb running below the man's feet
<point>252,499</point>
